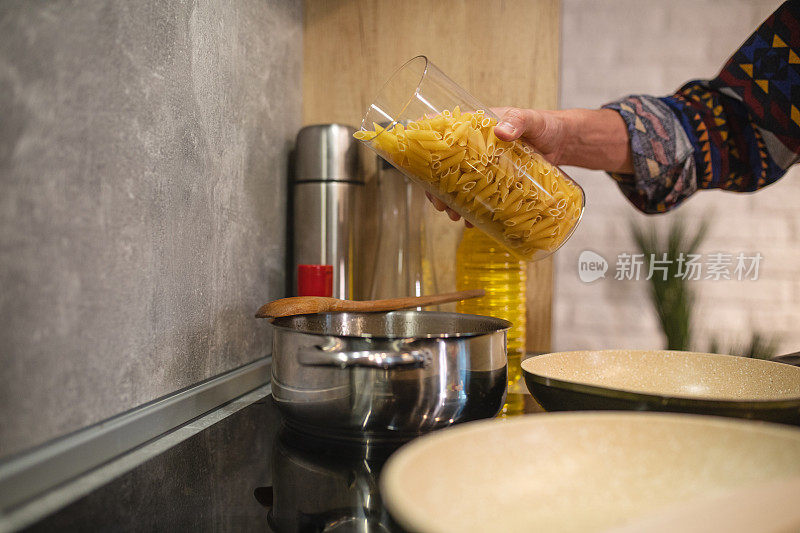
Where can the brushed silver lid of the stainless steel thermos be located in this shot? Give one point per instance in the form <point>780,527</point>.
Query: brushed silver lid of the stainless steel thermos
<point>326,152</point>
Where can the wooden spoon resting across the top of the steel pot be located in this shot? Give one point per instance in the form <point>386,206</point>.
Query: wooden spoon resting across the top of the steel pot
<point>301,305</point>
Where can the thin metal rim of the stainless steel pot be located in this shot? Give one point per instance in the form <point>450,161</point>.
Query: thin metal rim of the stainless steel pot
<point>496,325</point>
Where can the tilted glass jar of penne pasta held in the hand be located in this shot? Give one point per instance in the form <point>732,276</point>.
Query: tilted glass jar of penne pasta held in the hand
<point>442,138</point>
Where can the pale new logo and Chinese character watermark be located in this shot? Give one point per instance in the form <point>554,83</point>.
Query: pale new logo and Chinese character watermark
<point>691,267</point>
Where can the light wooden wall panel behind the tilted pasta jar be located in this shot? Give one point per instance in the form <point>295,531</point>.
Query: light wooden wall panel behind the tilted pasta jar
<point>503,52</point>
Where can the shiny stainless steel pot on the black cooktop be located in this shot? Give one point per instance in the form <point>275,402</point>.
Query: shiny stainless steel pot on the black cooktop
<point>387,375</point>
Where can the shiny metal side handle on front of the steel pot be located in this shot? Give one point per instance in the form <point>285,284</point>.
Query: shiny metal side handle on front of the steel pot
<point>316,356</point>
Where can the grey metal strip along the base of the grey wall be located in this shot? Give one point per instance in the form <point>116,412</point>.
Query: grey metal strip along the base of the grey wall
<point>29,474</point>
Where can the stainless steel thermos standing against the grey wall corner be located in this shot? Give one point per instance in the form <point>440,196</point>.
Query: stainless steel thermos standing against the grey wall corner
<point>326,187</point>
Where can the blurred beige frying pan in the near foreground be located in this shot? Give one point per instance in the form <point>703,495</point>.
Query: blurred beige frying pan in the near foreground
<point>586,472</point>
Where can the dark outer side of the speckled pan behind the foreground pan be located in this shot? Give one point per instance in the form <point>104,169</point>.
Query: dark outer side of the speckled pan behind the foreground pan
<point>683,401</point>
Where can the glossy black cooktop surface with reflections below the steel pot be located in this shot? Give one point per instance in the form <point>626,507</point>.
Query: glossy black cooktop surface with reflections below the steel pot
<point>246,473</point>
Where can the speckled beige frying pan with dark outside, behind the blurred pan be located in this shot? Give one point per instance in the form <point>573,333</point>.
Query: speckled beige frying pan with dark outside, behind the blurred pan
<point>646,380</point>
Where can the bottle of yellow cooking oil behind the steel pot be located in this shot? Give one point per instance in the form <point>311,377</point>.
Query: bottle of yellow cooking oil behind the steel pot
<point>484,264</point>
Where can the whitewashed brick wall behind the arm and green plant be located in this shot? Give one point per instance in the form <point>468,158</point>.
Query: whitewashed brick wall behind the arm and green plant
<point>612,48</point>
